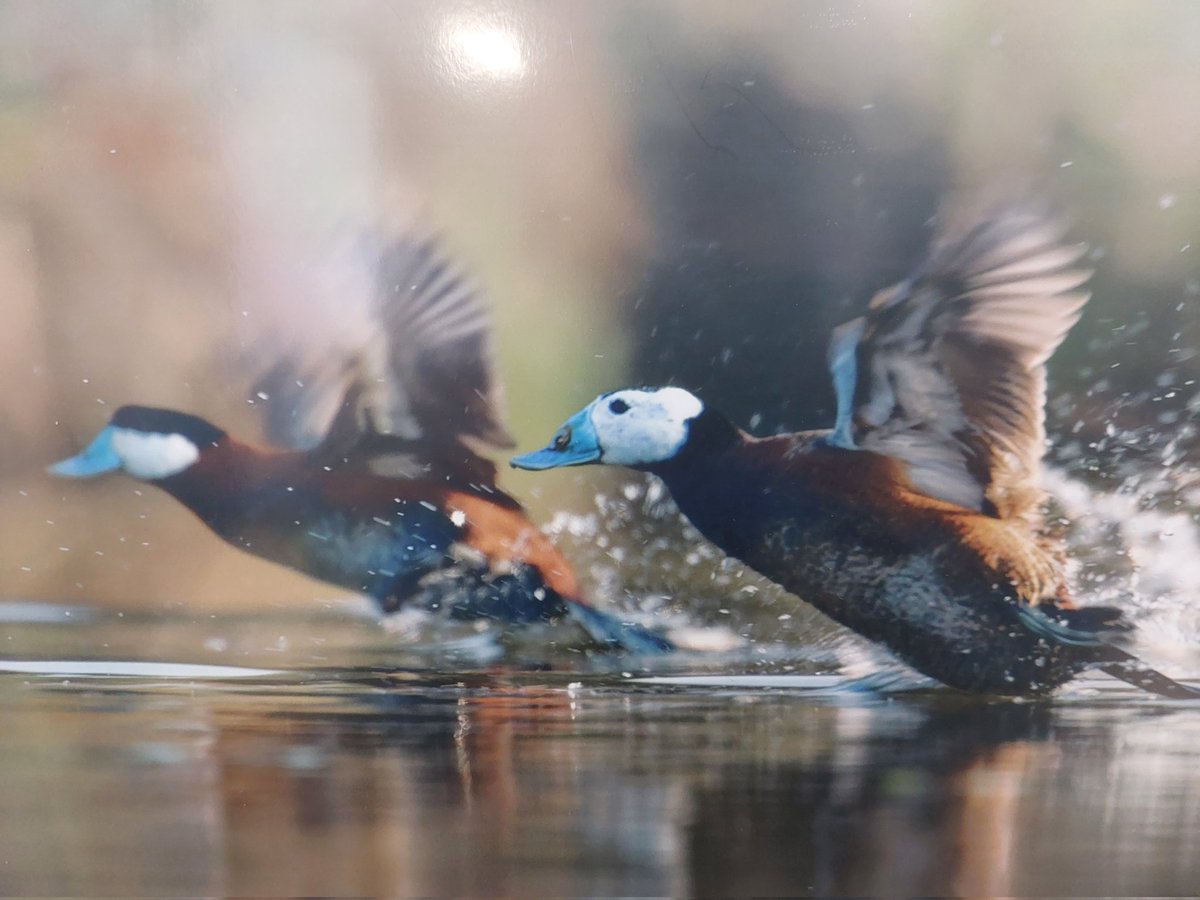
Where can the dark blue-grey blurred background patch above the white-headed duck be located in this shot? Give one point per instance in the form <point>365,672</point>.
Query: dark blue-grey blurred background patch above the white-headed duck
<point>777,220</point>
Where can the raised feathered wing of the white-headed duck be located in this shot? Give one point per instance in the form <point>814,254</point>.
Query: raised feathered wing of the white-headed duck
<point>946,373</point>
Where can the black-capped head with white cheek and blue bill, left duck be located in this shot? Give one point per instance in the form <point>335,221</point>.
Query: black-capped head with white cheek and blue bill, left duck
<point>149,445</point>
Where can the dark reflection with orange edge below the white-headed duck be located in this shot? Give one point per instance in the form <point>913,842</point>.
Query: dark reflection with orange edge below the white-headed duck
<point>929,809</point>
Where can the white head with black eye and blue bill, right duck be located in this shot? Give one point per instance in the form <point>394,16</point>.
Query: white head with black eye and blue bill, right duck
<point>637,427</point>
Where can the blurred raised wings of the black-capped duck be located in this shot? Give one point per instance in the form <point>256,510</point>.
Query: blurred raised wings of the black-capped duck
<point>415,394</point>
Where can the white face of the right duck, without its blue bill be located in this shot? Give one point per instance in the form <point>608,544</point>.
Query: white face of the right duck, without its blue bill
<point>638,428</point>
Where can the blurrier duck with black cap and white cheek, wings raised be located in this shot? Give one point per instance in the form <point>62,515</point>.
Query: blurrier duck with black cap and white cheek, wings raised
<point>382,490</point>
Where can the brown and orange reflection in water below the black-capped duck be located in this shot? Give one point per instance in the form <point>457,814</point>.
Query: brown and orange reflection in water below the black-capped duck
<point>465,793</point>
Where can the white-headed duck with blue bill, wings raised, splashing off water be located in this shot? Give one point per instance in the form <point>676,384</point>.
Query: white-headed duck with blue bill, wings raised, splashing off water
<point>917,519</point>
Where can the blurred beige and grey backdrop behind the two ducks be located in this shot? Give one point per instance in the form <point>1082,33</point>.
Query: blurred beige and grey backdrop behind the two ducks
<point>689,193</point>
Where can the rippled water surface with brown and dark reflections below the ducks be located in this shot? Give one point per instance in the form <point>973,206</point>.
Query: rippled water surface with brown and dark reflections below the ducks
<point>296,758</point>
